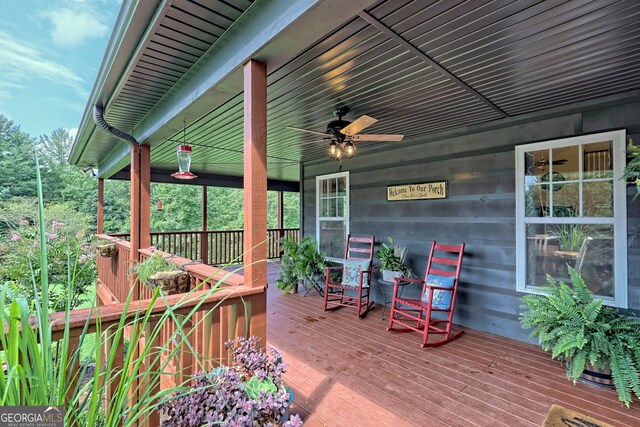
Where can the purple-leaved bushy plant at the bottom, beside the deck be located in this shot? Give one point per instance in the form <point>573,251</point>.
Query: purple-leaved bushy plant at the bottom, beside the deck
<point>248,392</point>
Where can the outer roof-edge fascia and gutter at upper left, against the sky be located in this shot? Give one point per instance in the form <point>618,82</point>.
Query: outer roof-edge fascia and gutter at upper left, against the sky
<point>130,32</point>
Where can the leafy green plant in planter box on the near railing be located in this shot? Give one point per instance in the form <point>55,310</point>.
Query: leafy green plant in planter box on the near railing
<point>158,272</point>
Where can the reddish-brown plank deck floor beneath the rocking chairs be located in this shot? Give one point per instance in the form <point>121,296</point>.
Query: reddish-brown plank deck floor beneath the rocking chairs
<point>350,372</point>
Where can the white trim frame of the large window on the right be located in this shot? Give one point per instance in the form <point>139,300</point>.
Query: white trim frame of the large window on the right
<point>619,220</point>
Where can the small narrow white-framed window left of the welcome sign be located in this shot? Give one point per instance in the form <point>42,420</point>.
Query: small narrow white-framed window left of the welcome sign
<point>332,213</point>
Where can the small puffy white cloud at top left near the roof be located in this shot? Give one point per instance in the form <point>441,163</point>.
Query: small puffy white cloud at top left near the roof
<point>73,27</point>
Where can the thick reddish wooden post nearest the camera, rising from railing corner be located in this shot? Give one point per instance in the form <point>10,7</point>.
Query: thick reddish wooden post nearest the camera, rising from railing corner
<point>255,185</point>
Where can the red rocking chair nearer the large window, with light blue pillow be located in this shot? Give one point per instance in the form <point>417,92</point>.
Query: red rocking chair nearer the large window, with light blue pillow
<point>438,295</point>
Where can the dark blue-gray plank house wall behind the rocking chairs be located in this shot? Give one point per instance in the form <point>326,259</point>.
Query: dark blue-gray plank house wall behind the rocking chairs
<point>479,164</point>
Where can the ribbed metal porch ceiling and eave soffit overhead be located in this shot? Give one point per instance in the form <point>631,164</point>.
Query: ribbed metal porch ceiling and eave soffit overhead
<point>420,67</point>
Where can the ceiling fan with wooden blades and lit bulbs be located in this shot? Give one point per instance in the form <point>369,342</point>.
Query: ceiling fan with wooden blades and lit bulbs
<point>343,133</point>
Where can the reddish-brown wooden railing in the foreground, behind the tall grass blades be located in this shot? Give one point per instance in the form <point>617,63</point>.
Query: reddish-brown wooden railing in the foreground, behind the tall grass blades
<point>227,313</point>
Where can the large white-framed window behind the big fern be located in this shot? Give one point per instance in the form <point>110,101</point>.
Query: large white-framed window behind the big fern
<point>571,211</point>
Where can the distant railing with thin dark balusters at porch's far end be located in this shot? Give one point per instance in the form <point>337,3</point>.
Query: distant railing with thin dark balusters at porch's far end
<point>217,247</point>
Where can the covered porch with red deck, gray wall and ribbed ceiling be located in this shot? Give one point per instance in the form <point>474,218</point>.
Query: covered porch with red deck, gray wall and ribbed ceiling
<point>465,85</point>
